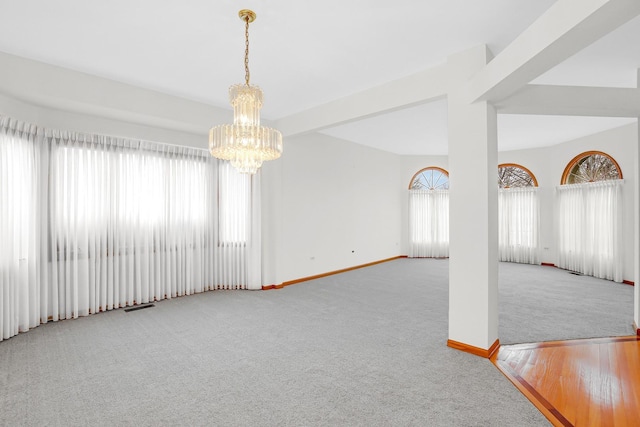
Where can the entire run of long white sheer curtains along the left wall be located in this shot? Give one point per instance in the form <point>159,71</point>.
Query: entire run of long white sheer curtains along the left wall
<point>91,223</point>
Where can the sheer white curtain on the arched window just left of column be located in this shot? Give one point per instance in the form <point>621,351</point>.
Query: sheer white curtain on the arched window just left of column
<point>428,223</point>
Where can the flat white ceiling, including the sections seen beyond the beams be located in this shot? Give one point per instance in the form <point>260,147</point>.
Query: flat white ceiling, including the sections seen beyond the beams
<point>304,54</point>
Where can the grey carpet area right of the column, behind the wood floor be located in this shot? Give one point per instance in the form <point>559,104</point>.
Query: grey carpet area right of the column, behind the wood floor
<point>547,304</point>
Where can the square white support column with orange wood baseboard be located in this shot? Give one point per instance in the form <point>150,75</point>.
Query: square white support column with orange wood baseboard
<point>473,226</point>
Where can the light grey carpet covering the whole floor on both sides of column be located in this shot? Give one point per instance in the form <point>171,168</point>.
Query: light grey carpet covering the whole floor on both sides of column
<point>363,348</point>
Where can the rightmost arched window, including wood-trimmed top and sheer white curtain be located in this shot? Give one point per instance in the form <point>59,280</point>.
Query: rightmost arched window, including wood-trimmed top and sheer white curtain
<point>590,216</point>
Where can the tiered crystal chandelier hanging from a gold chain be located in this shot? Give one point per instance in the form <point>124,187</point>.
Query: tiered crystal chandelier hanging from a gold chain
<point>245,143</point>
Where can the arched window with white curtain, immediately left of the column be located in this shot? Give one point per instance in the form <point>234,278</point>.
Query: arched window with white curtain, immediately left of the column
<point>429,213</point>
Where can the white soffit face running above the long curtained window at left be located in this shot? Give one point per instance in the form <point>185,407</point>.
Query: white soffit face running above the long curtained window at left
<point>57,89</point>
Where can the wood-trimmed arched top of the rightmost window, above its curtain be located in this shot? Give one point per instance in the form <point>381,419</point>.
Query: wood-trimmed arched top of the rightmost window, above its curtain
<point>591,166</point>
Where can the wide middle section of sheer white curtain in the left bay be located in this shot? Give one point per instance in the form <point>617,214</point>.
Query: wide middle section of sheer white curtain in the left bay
<point>131,222</point>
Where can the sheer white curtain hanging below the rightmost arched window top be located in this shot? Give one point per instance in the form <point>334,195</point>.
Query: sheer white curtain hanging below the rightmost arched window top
<point>590,228</point>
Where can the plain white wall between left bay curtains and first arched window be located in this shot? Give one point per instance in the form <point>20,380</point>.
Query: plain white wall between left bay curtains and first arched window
<point>339,205</point>
